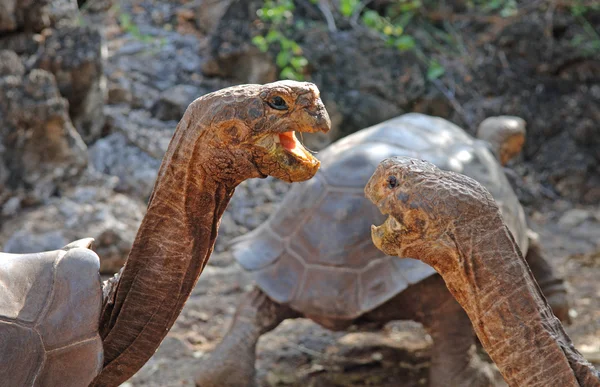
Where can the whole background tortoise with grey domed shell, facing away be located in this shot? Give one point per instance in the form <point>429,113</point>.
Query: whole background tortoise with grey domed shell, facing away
<point>314,256</point>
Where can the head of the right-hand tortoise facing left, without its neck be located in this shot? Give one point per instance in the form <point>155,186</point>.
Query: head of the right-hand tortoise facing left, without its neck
<point>424,204</point>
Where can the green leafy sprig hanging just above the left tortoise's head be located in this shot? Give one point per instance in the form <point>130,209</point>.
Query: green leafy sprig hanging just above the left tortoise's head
<point>279,15</point>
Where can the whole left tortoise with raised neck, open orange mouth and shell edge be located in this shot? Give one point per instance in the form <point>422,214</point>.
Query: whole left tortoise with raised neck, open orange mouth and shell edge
<point>57,329</point>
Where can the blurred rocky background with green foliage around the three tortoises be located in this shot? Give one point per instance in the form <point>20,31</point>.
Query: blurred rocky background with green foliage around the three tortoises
<point>91,92</point>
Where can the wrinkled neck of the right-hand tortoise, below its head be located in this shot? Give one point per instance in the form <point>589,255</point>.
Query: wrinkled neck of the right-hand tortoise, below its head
<point>488,276</point>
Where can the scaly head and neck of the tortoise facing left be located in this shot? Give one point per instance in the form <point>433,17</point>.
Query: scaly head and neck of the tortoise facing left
<point>452,223</point>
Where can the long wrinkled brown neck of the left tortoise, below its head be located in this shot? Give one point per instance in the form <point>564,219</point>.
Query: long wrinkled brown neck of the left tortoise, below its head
<point>171,248</point>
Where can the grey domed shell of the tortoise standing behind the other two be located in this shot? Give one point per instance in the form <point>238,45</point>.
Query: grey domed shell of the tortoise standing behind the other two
<point>315,252</point>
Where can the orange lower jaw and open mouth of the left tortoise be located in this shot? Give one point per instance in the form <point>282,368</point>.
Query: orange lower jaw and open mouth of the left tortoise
<point>285,158</point>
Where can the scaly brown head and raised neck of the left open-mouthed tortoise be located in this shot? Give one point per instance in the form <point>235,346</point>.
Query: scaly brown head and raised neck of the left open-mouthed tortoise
<point>223,138</point>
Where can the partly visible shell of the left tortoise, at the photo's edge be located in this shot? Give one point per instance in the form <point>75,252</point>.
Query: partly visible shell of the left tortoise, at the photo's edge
<point>49,314</point>
